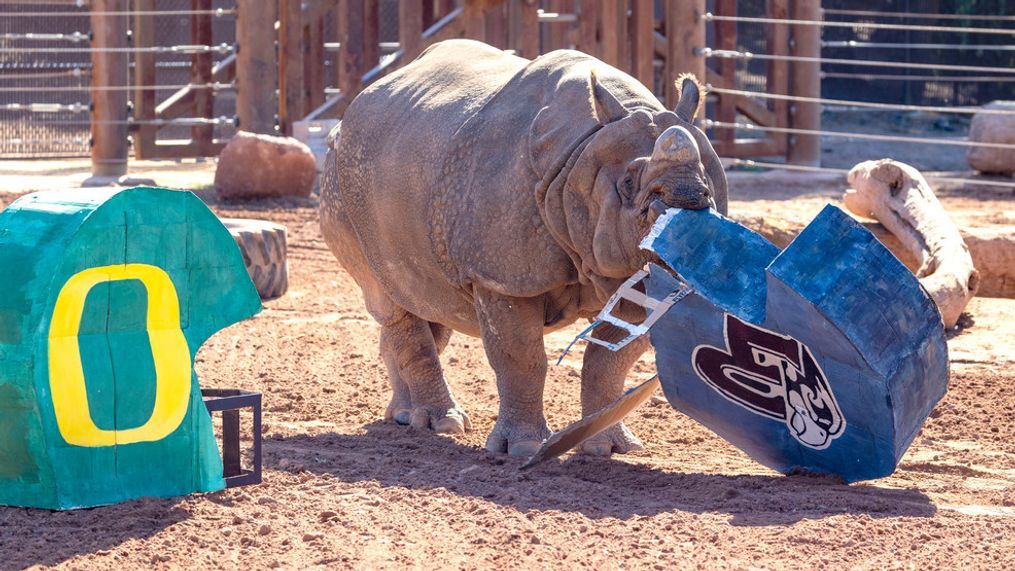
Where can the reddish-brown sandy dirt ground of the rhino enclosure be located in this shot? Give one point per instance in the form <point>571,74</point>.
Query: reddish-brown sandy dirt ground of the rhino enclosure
<point>345,489</point>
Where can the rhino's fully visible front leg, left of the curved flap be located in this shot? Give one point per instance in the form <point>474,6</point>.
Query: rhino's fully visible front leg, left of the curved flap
<point>512,329</point>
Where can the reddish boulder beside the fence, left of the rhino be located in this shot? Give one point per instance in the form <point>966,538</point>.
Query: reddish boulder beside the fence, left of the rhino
<point>265,167</point>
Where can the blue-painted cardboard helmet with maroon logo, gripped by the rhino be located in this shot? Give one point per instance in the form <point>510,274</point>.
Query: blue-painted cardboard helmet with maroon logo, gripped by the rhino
<point>828,356</point>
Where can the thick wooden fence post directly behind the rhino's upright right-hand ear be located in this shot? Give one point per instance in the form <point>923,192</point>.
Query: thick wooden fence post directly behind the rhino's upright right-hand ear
<point>686,36</point>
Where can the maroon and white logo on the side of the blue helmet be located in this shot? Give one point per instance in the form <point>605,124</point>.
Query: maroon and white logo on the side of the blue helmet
<point>774,376</point>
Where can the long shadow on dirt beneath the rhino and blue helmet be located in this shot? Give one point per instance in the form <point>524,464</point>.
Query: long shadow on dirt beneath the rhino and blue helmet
<point>397,457</point>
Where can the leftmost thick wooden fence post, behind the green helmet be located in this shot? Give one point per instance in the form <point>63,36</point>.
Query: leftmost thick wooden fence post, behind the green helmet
<point>109,113</point>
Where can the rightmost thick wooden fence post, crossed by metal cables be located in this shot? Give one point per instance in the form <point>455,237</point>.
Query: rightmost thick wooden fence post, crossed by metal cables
<point>805,82</point>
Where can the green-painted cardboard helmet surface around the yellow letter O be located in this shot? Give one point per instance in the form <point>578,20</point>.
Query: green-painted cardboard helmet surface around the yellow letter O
<point>46,240</point>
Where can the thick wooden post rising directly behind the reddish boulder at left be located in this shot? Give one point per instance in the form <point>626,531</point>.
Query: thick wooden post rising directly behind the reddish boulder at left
<point>256,66</point>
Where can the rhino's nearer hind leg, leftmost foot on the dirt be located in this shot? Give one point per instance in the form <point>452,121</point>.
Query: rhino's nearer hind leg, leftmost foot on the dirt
<point>422,398</point>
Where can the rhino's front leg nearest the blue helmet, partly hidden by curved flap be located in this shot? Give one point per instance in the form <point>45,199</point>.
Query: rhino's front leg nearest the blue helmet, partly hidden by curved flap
<point>603,374</point>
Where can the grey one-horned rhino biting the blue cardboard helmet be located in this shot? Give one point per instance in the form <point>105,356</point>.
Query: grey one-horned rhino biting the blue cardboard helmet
<point>479,192</point>
